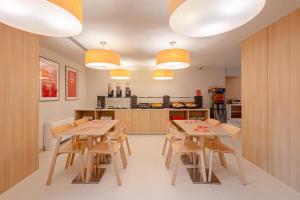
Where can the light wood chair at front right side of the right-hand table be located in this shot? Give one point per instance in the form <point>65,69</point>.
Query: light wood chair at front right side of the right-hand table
<point>219,147</point>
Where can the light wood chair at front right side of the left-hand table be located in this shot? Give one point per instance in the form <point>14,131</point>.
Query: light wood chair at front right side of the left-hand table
<point>109,147</point>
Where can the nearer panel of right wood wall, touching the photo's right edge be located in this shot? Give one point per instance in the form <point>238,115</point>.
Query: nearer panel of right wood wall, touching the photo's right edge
<point>284,109</point>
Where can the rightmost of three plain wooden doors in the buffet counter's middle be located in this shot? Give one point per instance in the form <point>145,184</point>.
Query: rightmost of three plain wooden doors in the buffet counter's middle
<point>158,120</point>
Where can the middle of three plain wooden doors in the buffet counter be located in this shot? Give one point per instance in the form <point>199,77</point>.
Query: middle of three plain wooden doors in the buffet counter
<point>141,121</point>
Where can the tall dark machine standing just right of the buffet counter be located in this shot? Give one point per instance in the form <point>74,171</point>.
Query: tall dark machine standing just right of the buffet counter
<point>218,104</point>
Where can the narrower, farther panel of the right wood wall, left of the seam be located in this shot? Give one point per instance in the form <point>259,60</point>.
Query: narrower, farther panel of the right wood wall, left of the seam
<point>255,99</point>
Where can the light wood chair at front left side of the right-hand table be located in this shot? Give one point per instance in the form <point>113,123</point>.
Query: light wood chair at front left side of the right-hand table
<point>181,145</point>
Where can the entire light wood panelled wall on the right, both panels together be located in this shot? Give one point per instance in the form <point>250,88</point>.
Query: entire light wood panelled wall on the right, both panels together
<point>270,97</point>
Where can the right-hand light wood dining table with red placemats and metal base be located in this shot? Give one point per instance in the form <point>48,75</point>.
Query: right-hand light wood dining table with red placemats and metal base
<point>191,128</point>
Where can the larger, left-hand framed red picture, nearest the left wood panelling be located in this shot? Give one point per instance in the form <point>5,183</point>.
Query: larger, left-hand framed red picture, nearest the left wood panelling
<point>49,80</point>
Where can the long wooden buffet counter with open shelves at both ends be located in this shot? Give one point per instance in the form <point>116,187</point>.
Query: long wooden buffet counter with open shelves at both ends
<point>143,121</point>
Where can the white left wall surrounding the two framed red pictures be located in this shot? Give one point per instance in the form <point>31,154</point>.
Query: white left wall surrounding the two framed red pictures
<point>55,110</point>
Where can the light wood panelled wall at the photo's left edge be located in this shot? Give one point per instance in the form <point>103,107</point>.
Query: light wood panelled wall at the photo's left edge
<point>19,73</point>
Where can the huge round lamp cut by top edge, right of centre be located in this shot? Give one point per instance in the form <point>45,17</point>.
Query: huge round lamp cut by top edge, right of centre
<point>204,18</point>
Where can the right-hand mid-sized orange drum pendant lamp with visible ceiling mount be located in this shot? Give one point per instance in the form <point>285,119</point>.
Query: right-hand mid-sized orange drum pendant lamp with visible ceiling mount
<point>173,58</point>
